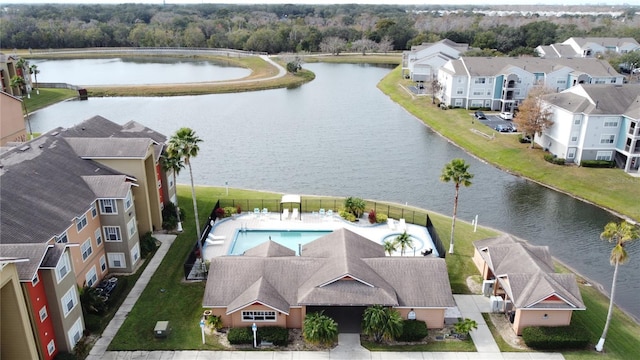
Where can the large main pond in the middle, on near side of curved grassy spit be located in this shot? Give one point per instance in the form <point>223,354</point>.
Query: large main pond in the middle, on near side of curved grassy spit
<point>339,135</point>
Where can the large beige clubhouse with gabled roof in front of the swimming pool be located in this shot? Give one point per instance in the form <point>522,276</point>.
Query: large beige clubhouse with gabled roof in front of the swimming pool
<point>341,274</point>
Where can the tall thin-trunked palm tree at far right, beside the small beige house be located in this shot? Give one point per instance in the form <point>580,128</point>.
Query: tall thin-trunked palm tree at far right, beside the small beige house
<point>620,234</point>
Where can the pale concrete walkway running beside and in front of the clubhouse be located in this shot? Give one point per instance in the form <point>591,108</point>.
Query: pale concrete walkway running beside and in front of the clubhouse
<point>349,348</point>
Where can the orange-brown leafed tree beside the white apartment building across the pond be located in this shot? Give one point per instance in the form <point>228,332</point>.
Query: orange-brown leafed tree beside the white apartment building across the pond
<point>533,116</point>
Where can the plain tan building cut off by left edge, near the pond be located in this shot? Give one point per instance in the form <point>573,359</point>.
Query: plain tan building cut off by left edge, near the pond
<point>12,127</point>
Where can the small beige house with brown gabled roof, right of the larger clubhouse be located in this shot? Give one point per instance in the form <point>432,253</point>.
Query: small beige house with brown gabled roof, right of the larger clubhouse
<point>522,282</point>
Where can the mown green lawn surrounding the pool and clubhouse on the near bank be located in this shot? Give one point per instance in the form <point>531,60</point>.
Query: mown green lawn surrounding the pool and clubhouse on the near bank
<point>168,297</point>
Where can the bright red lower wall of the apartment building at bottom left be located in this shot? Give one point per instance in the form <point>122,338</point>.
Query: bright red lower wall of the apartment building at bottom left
<point>44,329</point>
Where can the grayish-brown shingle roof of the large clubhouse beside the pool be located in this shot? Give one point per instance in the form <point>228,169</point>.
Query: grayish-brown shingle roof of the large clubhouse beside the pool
<point>341,268</point>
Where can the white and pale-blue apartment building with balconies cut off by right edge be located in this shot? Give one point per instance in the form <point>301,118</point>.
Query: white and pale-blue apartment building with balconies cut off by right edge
<point>595,122</point>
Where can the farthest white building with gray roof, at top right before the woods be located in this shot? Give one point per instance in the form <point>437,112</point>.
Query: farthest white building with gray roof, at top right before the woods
<point>587,47</point>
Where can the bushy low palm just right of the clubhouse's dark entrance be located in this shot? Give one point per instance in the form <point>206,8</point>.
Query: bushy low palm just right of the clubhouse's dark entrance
<point>381,323</point>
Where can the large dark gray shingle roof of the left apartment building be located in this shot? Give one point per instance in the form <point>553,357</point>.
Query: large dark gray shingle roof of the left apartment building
<point>42,189</point>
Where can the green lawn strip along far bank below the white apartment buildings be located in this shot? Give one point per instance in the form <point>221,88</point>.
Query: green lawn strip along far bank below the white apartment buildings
<point>609,188</point>
